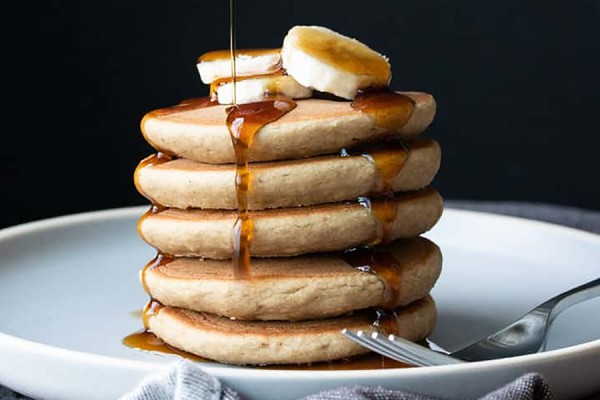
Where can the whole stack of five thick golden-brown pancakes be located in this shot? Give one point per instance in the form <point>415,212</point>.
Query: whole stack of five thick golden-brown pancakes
<point>338,204</point>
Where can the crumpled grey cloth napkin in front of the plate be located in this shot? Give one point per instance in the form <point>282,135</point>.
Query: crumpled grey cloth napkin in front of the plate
<point>185,380</point>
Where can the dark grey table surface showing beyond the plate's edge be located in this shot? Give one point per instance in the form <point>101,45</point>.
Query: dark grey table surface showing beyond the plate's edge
<point>588,220</point>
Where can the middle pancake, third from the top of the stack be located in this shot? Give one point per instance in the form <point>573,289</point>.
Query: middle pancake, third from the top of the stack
<point>293,231</point>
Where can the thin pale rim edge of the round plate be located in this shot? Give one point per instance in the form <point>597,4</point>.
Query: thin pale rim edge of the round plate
<point>250,372</point>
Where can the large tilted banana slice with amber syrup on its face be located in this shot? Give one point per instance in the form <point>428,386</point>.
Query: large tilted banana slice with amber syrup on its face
<point>327,61</point>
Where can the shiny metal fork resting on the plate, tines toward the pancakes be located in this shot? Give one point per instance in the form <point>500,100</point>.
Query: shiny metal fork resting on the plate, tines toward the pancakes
<point>524,336</point>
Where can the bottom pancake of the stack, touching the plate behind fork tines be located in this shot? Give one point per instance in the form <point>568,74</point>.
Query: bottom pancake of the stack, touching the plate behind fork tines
<point>274,342</point>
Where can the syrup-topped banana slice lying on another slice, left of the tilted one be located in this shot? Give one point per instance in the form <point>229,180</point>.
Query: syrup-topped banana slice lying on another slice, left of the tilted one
<point>217,64</point>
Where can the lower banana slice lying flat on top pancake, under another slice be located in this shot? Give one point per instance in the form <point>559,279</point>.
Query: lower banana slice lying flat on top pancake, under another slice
<point>249,90</point>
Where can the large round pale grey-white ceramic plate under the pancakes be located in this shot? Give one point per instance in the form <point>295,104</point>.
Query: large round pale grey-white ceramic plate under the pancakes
<point>69,291</point>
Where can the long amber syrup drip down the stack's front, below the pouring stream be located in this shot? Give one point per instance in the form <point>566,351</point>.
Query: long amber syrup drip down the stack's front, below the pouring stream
<point>243,122</point>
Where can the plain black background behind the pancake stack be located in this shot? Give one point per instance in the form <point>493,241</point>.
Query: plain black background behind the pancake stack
<point>516,84</point>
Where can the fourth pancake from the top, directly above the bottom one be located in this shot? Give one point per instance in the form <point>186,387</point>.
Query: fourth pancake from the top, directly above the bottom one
<point>296,288</point>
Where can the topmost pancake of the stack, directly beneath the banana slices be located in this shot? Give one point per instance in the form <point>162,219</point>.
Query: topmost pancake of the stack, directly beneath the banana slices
<point>314,127</point>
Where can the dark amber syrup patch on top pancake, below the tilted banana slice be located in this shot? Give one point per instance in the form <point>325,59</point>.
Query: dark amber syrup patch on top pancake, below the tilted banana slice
<point>388,109</point>
